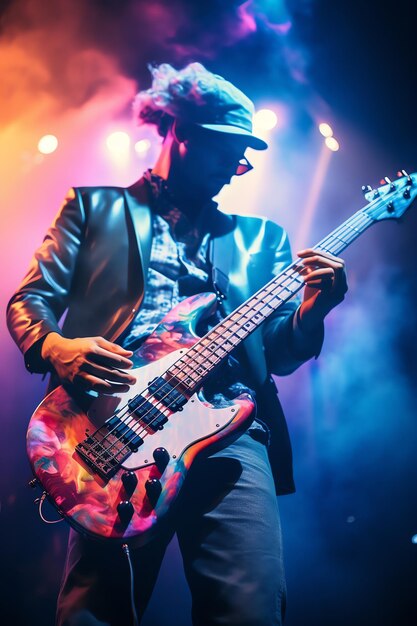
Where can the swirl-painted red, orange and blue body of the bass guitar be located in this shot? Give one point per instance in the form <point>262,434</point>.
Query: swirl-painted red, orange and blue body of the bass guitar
<point>132,500</point>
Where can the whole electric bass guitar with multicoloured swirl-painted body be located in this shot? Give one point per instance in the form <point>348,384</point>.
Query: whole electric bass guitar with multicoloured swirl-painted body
<point>113,466</point>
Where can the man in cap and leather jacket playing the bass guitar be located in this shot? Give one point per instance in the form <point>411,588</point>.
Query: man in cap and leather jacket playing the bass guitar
<point>117,261</point>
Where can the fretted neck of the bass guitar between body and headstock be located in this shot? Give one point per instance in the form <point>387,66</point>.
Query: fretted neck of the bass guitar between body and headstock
<point>200,360</point>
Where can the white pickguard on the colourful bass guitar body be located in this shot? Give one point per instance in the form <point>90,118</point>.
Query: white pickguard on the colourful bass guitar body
<point>196,421</point>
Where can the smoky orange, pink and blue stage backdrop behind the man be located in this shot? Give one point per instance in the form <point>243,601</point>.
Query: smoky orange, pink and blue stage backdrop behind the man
<point>348,531</point>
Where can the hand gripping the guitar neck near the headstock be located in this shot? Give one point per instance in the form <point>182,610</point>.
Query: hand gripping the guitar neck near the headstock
<point>326,285</point>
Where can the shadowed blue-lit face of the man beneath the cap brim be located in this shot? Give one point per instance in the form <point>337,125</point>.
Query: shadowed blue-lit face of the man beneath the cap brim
<point>208,159</point>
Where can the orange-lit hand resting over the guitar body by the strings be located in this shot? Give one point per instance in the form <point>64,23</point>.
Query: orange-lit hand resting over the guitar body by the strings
<point>91,362</point>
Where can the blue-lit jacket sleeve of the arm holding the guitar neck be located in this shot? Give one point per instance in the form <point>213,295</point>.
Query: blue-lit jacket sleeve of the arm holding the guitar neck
<point>286,345</point>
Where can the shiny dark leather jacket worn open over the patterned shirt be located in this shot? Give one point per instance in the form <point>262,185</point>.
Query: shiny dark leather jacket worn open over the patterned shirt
<point>91,268</point>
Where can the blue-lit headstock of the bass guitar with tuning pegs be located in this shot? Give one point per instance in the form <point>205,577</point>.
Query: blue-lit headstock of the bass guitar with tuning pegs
<point>392,199</point>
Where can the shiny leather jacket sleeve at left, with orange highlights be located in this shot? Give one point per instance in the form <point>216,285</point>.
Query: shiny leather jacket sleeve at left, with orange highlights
<point>42,297</point>
